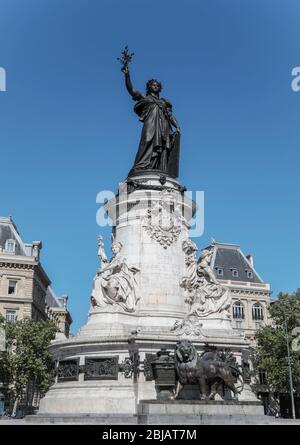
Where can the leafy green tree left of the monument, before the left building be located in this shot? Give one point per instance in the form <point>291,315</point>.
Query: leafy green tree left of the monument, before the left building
<point>27,358</point>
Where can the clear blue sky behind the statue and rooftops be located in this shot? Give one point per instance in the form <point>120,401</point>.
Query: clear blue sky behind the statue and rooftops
<point>67,129</point>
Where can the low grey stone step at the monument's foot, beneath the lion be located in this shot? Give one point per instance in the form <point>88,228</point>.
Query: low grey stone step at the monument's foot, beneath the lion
<point>177,412</point>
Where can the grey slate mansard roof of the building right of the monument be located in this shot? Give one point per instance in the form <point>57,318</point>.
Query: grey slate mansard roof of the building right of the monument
<point>229,257</point>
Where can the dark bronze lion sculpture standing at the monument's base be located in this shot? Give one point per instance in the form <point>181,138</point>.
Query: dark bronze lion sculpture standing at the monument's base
<point>210,371</point>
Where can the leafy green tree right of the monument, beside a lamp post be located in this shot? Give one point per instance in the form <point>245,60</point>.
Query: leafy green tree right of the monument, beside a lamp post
<point>271,350</point>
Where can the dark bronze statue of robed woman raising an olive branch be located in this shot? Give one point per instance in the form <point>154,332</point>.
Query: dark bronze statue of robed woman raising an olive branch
<point>160,138</point>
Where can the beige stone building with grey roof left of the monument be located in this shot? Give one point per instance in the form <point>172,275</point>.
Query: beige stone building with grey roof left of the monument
<point>25,288</point>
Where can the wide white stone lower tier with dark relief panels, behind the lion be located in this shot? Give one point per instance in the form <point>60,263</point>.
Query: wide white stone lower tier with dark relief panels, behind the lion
<point>113,393</point>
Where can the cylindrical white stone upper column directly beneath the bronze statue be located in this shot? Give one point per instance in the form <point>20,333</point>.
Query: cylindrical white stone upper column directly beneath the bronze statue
<point>150,219</point>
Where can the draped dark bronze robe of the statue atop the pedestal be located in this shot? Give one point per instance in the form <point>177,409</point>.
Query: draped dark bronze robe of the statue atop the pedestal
<point>159,147</point>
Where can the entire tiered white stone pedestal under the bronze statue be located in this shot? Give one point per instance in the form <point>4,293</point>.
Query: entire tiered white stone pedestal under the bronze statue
<point>95,372</point>
